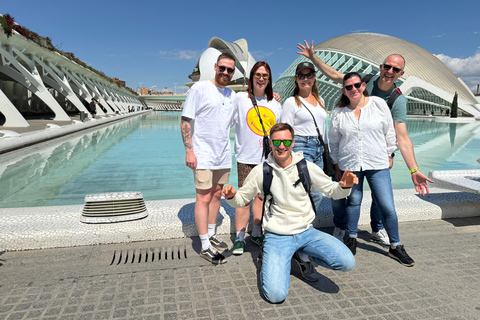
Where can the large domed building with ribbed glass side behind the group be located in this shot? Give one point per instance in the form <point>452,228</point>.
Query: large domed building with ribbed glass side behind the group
<point>428,84</point>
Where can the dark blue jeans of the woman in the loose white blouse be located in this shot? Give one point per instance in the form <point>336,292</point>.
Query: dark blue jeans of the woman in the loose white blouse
<point>346,212</point>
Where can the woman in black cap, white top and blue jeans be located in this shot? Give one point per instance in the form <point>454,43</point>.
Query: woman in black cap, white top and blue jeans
<point>305,112</point>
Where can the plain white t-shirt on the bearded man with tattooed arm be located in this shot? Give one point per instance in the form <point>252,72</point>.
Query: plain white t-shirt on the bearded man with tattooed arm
<point>211,108</point>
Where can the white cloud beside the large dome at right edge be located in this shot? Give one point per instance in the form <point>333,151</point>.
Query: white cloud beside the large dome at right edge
<point>468,69</point>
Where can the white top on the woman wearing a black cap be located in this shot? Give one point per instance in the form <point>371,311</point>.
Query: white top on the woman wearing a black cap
<point>301,120</point>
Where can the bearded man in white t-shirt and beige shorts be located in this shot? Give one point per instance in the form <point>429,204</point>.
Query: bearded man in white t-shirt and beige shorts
<point>205,125</point>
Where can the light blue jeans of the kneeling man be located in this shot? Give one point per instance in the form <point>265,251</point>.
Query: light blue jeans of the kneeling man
<point>278,250</point>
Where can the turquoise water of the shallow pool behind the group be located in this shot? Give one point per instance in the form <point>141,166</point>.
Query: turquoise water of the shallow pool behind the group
<point>146,154</point>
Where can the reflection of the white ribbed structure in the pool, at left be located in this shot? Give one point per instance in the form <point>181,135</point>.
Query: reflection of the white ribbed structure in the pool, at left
<point>34,175</point>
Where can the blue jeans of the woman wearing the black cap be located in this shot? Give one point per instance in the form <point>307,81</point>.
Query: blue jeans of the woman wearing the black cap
<point>313,152</point>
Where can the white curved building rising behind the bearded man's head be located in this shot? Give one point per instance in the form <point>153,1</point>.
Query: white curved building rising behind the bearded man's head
<point>204,69</point>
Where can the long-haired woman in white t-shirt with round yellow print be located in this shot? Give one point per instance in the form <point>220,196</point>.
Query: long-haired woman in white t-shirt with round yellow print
<point>256,111</point>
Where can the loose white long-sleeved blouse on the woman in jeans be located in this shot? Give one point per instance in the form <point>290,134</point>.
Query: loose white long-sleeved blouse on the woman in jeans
<point>362,144</point>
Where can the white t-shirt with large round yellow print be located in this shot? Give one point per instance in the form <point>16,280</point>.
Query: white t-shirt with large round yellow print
<point>248,130</point>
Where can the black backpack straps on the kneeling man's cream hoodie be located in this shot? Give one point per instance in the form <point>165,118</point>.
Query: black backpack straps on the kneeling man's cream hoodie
<point>303,177</point>
